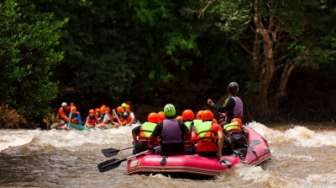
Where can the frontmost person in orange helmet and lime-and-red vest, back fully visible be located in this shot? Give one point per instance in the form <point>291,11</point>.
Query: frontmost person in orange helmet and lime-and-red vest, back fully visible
<point>208,136</point>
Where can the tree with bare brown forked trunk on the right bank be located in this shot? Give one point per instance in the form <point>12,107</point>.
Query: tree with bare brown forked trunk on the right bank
<point>274,34</point>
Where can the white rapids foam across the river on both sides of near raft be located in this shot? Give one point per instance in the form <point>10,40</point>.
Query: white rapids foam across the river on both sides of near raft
<point>299,135</point>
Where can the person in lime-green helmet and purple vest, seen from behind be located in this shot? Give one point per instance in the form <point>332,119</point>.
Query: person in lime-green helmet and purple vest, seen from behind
<point>171,133</point>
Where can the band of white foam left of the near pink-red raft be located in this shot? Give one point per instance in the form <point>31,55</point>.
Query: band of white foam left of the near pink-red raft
<point>63,138</point>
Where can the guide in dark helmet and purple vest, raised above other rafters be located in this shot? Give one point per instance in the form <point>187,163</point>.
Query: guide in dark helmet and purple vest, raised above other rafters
<point>233,106</point>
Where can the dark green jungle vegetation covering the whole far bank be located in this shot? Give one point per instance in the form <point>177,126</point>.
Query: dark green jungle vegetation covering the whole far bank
<point>149,52</point>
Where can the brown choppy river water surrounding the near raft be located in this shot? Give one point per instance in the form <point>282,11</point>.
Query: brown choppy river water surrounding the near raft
<point>303,156</point>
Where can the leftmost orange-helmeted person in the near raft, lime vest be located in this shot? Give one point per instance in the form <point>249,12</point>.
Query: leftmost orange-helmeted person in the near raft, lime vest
<point>142,135</point>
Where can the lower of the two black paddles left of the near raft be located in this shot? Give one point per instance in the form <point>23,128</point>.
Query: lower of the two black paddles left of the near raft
<point>114,163</point>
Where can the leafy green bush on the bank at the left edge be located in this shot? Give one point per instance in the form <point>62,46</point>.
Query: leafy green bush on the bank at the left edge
<point>28,48</point>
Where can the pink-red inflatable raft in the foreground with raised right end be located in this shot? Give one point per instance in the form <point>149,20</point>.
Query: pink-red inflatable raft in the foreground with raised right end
<point>257,152</point>
